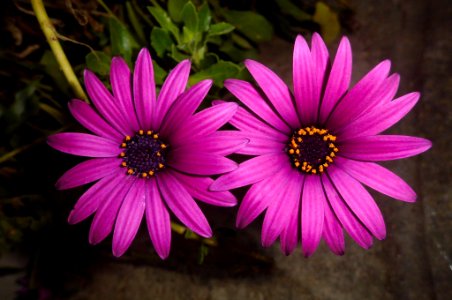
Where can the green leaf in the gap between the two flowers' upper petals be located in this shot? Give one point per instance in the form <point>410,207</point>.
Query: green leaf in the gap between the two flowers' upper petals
<point>218,72</point>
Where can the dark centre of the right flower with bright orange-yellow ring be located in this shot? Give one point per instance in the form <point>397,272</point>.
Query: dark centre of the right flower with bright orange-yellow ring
<point>311,149</point>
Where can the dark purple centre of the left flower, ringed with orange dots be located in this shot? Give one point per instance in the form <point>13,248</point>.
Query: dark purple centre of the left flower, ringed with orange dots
<point>143,154</point>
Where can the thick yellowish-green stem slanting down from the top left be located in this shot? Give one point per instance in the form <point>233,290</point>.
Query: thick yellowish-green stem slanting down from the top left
<point>52,39</point>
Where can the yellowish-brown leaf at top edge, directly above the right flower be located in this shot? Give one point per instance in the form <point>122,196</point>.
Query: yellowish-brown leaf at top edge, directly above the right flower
<point>328,21</point>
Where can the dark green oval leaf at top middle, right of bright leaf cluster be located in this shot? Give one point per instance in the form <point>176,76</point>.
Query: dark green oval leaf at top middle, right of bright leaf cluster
<point>253,25</point>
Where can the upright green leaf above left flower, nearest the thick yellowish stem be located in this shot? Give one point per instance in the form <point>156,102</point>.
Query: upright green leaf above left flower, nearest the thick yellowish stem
<point>122,42</point>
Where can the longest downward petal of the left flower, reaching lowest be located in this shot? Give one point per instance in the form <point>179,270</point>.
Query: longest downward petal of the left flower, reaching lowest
<point>157,220</point>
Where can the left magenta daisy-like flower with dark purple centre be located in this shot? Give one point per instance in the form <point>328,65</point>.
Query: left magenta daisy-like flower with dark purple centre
<point>149,155</point>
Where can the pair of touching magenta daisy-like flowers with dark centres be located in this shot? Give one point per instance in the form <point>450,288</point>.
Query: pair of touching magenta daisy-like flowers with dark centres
<point>311,151</point>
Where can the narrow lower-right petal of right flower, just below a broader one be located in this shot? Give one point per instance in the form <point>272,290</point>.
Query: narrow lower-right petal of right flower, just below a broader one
<point>354,228</point>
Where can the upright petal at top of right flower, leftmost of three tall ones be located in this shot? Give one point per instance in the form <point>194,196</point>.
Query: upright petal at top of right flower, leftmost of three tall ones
<point>305,83</point>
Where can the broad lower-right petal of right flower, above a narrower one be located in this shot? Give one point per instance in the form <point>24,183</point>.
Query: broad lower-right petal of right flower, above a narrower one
<point>360,201</point>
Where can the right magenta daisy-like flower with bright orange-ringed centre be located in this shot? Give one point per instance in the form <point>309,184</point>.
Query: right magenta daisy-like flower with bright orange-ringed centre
<point>314,151</point>
